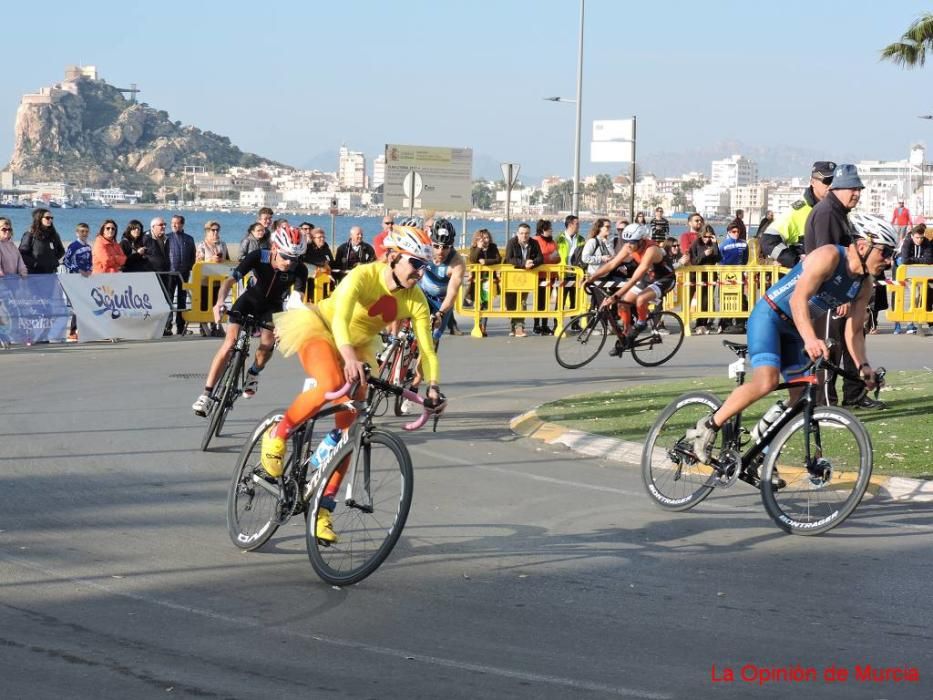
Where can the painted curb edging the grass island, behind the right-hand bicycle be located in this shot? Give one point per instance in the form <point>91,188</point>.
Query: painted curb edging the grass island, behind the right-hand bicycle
<point>530,424</point>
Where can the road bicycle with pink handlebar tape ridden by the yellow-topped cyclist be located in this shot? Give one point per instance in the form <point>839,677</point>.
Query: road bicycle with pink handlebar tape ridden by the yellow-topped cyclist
<point>371,465</point>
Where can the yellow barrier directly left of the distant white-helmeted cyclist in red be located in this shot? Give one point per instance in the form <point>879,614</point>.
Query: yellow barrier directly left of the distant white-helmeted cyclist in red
<point>503,291</point>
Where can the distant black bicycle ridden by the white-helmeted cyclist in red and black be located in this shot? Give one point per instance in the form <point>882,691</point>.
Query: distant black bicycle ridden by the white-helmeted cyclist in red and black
<point>583,336</point>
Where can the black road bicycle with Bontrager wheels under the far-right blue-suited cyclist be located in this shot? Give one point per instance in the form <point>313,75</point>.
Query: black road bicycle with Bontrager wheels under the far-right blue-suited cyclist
<point>812,464</point>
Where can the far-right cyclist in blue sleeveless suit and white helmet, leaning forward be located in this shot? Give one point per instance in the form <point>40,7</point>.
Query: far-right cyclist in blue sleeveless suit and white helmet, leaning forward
<point>781,334</point>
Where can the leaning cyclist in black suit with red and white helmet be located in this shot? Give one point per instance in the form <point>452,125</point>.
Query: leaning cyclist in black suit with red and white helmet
<point>275,272</point>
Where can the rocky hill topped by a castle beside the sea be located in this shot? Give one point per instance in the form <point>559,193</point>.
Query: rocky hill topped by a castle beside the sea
<point>86,131</point>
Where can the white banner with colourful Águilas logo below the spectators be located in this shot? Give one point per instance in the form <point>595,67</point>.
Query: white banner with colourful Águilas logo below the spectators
<point>127,305</point>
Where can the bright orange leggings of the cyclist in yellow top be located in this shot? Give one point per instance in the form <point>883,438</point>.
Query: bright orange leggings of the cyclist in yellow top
<point>320,360</point>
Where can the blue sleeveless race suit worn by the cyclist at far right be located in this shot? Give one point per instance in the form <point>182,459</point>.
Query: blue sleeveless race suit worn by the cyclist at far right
<point>773,340</point>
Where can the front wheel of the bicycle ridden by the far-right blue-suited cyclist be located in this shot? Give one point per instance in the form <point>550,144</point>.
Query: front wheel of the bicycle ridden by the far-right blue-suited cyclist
<point>812,503</point>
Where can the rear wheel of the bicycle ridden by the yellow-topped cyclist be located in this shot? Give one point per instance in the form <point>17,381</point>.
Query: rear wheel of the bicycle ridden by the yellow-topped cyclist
<point>254,511</point>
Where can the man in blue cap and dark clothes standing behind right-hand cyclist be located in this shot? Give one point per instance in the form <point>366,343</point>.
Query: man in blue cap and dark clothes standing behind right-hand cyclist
<point>828,224</point>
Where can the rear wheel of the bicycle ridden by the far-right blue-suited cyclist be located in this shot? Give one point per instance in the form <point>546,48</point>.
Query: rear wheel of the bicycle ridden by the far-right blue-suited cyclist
<point>673,476</point>
